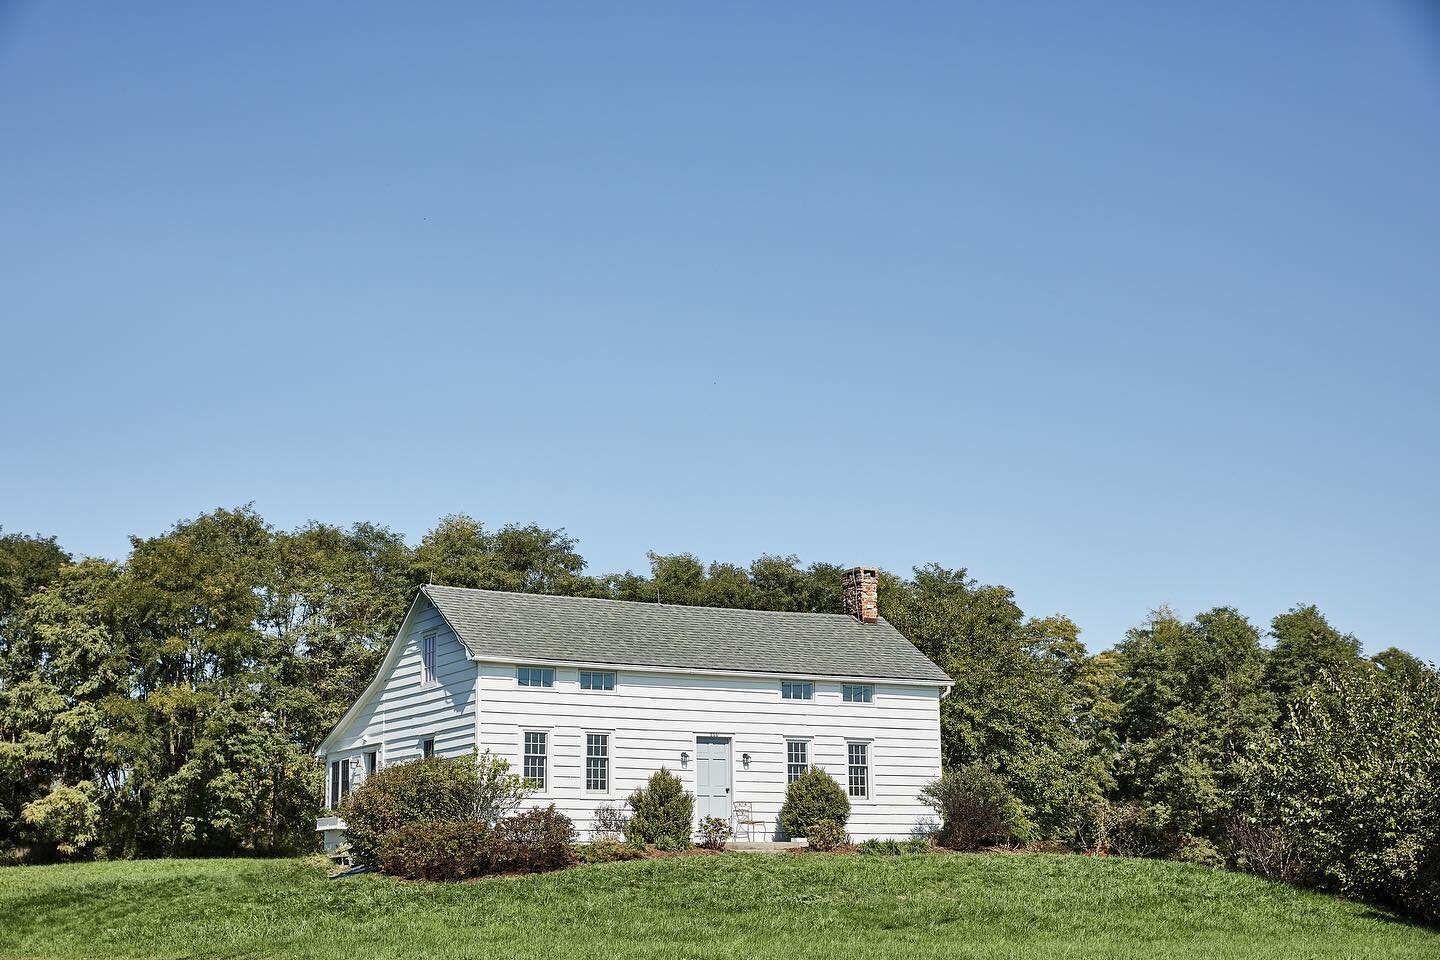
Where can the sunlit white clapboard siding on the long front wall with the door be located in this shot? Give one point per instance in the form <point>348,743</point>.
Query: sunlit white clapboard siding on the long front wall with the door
<point>654,717</point>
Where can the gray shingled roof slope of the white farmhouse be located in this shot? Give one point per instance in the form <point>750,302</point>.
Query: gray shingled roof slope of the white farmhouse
<point>522,627</point>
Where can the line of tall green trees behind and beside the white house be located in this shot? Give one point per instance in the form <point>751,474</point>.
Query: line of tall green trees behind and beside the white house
<point>171,705</point>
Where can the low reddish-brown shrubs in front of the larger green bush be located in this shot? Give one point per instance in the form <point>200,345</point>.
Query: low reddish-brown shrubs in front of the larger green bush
<point>459,850</point>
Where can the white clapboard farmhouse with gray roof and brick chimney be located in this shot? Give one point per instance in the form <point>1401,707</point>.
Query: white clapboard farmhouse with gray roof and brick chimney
<point>590,699</point>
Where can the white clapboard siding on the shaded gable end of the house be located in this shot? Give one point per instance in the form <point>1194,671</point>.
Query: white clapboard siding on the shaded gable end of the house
<point>407,710</point>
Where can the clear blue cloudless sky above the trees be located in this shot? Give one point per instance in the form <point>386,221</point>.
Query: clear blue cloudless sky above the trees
<point>1118,304</point>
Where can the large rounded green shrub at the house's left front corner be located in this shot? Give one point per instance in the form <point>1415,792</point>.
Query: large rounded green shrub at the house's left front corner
<point>467,789</point>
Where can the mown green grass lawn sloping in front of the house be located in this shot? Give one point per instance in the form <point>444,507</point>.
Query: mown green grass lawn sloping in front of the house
<point>734,906</point>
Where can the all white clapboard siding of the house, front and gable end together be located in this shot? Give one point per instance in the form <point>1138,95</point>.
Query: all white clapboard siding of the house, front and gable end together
<point>653,717</point>
